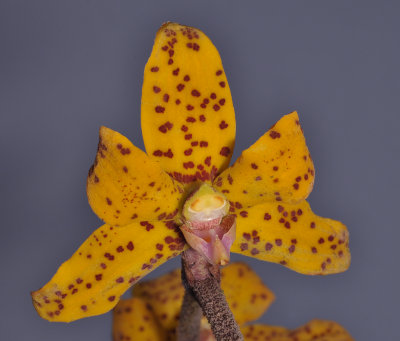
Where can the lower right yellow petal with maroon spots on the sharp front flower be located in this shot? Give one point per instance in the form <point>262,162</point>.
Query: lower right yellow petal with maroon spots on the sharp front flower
<point>294,236</point>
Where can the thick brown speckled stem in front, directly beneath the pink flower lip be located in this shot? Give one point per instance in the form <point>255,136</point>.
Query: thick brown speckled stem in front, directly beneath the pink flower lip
<point>203,280</point>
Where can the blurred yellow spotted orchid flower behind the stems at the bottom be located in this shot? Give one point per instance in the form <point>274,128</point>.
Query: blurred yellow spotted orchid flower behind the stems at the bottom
<point>153,311</point>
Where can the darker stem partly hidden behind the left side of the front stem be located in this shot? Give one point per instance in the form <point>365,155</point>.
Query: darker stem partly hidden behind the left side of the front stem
<point>189,319</point>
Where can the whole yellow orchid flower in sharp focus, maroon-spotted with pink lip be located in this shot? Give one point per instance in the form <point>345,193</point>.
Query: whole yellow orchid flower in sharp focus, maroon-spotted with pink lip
<point>181,192</point>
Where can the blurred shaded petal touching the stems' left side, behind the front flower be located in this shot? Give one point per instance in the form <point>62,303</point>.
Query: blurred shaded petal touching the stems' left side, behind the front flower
<point>164,295</point>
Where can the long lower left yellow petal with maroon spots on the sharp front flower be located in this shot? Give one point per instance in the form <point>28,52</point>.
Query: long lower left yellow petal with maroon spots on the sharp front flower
<point>104,267</point>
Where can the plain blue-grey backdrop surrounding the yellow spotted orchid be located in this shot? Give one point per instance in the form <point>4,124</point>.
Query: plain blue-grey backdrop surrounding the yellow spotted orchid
<point>68,67</point>
